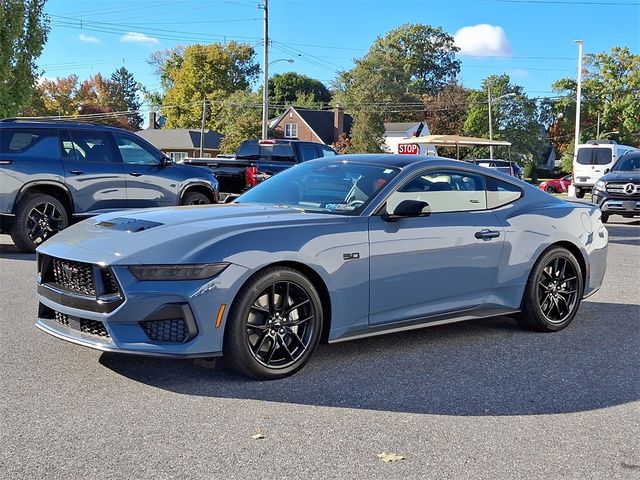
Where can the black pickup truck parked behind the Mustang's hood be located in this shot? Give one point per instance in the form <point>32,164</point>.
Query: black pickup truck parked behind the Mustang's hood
<point>257,160</point>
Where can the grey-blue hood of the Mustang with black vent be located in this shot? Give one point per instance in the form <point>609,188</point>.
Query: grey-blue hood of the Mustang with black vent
<point>170,235</point>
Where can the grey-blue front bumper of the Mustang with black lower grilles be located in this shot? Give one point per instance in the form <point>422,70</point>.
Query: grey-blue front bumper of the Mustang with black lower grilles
<point>153,318</point>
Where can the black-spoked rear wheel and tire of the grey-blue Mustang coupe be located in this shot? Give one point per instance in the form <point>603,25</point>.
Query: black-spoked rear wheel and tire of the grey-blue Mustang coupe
<point>553,292</point>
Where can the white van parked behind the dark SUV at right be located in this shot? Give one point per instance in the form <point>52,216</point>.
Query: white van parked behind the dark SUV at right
<point>591,160</point>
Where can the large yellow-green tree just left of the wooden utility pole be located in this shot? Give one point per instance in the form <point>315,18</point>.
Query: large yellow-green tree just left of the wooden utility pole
<point>211,72</point>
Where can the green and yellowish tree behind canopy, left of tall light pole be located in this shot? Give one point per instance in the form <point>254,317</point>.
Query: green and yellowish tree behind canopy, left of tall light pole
<point>515,118</point>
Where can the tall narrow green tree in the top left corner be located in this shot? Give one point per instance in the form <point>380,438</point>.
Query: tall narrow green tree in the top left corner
<point>23,32</point>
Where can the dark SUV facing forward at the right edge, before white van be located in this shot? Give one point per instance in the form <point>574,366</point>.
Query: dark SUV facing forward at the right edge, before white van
<point>618,191</point>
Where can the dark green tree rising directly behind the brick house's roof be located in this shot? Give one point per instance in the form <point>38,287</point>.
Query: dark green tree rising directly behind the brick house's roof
<point>292,88</point>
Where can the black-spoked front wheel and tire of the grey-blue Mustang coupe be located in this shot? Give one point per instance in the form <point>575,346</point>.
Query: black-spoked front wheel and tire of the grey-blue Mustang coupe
<point>274,325</point>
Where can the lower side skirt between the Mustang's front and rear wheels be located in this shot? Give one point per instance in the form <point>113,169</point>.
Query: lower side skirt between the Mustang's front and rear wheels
<point>414,324</point>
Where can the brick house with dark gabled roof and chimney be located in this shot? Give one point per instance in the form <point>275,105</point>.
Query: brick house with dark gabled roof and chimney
<point>324,126</point>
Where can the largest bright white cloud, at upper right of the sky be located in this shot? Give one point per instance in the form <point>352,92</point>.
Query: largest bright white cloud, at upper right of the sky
<point>482,41</point>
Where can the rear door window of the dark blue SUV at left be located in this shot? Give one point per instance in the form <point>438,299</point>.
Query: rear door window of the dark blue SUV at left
<point>87,146</point>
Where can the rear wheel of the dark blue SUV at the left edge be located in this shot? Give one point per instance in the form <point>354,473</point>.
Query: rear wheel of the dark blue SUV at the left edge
<point>38,218</point>
